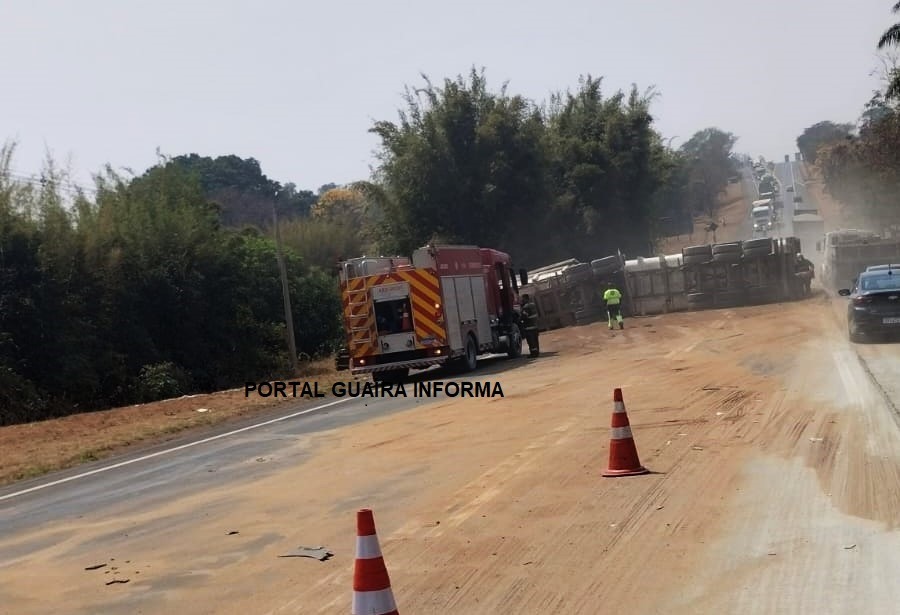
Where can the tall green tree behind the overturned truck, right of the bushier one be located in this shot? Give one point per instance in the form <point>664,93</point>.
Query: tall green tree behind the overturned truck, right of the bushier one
<point>602,153</point>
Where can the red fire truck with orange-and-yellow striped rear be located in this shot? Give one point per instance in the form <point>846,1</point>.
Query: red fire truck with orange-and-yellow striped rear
<point>446,305</point>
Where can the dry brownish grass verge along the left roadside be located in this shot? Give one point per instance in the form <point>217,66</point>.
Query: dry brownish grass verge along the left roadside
<point>33,449</point>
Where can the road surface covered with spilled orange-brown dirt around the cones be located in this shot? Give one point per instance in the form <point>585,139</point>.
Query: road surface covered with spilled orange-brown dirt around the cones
<point>775,466</point>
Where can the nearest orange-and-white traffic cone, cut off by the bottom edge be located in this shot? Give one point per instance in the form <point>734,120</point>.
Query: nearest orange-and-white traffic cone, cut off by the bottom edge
<point>372,593</point>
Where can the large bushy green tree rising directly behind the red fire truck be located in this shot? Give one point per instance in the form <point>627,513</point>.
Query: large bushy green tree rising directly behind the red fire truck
<point>463,163</point>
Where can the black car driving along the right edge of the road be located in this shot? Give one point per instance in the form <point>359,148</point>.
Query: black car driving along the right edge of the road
<point>874,306</point>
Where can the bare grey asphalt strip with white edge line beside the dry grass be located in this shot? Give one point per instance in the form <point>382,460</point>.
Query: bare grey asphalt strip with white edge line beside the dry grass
<point>238,453</point>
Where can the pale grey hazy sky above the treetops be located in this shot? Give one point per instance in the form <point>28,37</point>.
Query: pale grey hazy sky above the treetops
<point>296,84</point>
